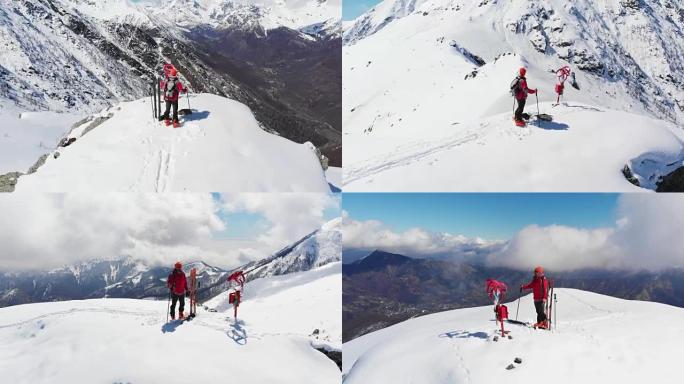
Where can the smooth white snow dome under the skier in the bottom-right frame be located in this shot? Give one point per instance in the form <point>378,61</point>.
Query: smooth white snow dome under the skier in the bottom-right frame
<point>599,339</point>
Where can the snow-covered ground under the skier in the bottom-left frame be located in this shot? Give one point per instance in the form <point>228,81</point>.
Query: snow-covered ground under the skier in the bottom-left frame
<point>124,340</point>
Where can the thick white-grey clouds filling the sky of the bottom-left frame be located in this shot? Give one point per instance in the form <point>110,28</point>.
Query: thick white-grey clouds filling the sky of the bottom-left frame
<point>50,230</point>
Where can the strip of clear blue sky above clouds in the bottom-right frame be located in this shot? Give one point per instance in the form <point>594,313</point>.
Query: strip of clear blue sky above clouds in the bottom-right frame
<point>487,215</point>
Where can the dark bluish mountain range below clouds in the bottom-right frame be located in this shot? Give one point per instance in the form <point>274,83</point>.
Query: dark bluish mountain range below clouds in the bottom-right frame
<point>385,288</point>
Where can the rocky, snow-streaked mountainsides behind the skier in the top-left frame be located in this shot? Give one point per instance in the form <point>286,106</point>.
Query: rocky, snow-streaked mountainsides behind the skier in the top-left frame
<point>81,56</point>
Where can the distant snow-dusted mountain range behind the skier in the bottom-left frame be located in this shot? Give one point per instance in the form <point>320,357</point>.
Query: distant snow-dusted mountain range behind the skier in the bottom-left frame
<point>130,278</point>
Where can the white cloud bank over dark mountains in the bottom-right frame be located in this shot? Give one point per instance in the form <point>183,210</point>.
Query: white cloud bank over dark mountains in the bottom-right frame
<point>648,234</point>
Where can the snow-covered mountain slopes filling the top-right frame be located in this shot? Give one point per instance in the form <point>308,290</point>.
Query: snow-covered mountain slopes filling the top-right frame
<point>439,101</point>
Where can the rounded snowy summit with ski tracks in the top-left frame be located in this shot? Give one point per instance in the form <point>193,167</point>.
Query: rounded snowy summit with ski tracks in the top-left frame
<point>220,147</point>
